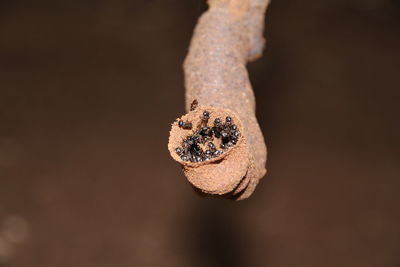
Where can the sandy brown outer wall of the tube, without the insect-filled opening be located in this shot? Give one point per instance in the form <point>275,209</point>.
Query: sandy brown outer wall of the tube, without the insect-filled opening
<point>226,37</point>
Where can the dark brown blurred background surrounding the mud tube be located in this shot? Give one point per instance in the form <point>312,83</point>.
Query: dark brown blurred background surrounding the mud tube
<point>88,90</point>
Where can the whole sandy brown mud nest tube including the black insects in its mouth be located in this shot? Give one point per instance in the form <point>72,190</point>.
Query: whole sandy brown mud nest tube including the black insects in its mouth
<point>219,142</point>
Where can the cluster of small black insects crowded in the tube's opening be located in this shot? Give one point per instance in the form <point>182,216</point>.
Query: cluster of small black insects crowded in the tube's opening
<point>191,151</point>
